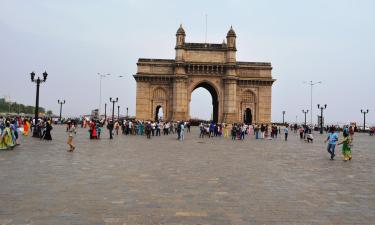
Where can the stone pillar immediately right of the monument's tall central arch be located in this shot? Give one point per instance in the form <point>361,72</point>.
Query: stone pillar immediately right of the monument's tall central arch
<point>230,94</point>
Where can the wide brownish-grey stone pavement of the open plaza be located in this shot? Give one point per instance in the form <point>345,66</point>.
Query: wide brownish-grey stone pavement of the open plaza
<point>132,180</point>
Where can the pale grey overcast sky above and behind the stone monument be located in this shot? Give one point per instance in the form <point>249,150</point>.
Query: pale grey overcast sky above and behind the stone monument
<point>319,40</point>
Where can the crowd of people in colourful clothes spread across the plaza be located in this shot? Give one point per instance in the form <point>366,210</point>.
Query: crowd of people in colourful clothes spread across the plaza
<point>12,127</point>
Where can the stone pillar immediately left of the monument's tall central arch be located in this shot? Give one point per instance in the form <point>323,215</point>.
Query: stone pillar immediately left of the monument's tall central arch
<point>180,100</point>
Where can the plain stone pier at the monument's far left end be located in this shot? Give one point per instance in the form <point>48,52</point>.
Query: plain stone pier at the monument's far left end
<point>143,103</point>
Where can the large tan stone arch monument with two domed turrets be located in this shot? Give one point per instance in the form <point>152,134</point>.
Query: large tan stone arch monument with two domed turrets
<point>241,91</point>
